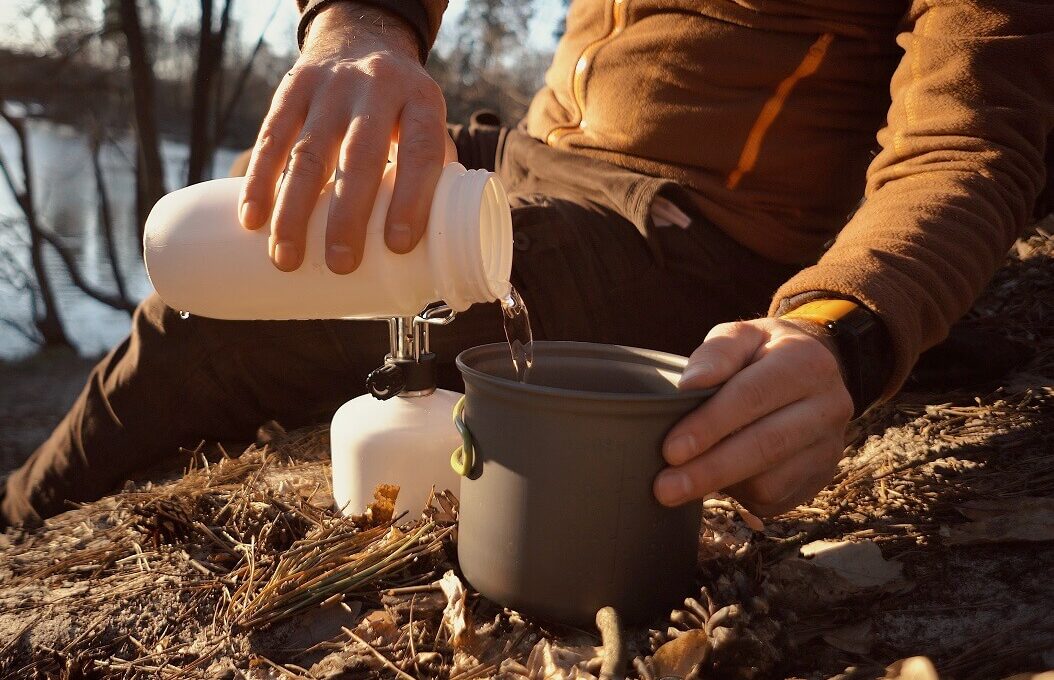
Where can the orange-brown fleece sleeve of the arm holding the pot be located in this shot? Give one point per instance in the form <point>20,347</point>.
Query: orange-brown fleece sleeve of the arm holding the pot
<point>960,171</point>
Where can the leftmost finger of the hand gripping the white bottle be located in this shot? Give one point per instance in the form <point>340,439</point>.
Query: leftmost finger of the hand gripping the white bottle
<point>271,152</point>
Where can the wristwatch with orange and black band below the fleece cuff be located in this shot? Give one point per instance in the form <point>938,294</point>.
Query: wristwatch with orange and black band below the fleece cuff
<point>863,342</point>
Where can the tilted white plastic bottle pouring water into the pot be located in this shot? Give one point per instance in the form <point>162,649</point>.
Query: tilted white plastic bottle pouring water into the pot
<point>202,261</point>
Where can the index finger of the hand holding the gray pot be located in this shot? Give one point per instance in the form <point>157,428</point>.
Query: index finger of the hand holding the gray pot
<point>802,367</point>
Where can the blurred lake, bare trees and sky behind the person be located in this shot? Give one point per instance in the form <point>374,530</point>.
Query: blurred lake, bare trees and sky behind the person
<point>108,105</point>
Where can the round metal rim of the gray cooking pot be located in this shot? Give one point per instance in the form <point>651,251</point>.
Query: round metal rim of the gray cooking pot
<point>593,351</point>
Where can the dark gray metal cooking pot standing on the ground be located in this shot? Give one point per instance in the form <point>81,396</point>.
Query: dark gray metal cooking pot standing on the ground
<point>558,518</point>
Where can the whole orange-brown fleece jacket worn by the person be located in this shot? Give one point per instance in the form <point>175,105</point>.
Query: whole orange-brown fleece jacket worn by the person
<point>768,110</point>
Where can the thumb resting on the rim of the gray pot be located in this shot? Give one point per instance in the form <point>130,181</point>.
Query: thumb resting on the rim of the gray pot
<point>729,349</point>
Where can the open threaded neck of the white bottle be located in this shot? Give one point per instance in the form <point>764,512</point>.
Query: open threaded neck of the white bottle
<point>473,245</point>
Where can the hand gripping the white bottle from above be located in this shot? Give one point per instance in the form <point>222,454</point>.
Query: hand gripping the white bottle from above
<point>357,87</point>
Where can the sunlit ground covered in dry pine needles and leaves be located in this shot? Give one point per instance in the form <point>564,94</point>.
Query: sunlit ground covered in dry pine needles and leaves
<point>936,539</point>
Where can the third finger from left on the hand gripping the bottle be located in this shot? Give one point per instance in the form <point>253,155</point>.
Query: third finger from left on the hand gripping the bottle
<point>361,166</point>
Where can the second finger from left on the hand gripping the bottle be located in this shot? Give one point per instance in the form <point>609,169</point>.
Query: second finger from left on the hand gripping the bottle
<point>310,167</point>
